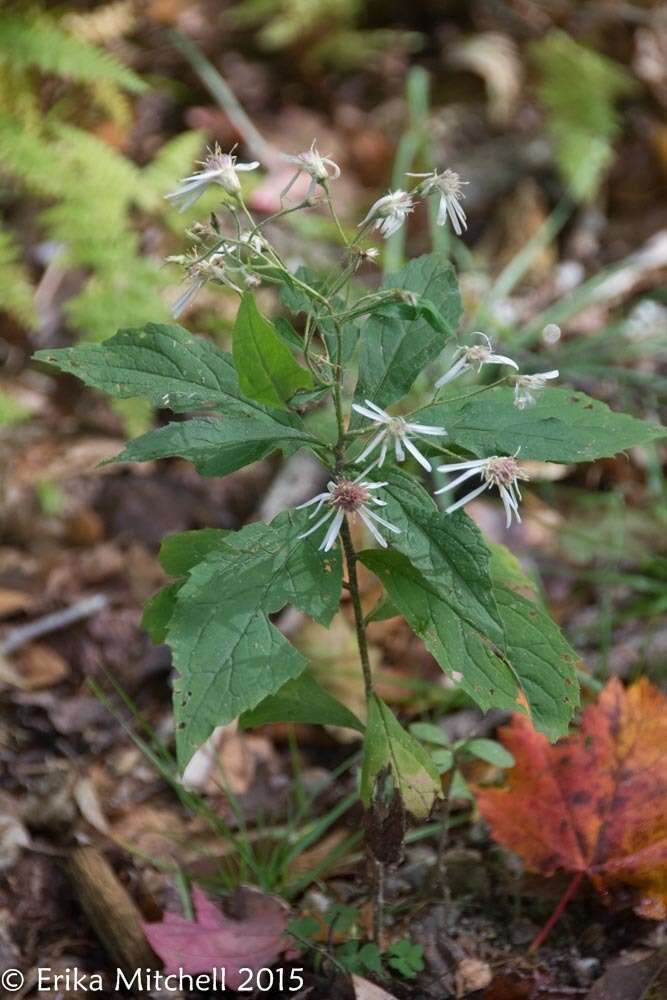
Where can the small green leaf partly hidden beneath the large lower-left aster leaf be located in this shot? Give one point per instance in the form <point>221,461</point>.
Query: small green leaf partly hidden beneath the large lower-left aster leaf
<point>301,700</point>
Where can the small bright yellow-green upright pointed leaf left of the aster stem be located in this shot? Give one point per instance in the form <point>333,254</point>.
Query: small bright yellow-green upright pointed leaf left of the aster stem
<point>266,368</point>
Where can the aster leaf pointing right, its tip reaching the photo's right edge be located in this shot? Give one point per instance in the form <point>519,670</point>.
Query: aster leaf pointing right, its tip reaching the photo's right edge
<point>562,426</point>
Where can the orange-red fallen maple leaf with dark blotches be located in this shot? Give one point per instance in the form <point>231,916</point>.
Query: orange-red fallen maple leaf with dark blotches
<point>596,802</point>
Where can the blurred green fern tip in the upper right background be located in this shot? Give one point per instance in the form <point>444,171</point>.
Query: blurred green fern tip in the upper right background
<point>580,88</point>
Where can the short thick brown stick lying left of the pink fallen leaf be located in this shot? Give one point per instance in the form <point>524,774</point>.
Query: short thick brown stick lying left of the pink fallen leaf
<point>111,911</point>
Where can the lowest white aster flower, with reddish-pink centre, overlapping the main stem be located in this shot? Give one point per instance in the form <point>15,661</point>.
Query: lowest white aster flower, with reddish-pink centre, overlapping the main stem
<point>348,497</point>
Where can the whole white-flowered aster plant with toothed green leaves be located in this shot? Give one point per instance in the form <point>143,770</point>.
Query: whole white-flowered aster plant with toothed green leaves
<point>337,380</point>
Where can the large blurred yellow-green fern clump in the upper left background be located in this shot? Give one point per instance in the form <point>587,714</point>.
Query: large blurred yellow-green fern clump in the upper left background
<point>87,192</point>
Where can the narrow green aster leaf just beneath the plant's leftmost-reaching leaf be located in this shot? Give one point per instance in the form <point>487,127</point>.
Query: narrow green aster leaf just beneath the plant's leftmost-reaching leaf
<point>216,447</point>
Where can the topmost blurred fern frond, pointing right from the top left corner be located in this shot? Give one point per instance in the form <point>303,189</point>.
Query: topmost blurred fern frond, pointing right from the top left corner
<point>37,41</point>
